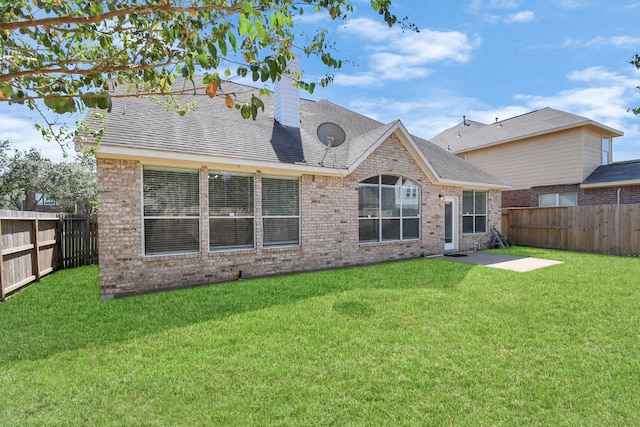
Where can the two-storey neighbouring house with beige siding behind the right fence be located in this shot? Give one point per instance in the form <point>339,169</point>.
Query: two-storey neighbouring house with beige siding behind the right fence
<point>545,155</point>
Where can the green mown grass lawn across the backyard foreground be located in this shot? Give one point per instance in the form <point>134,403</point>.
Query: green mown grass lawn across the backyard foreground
<point>420,342</point>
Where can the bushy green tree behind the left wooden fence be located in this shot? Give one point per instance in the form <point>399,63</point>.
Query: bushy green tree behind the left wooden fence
<point>27,179</point>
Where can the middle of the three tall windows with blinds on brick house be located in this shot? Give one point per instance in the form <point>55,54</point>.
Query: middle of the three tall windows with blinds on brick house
<point>231,211</point>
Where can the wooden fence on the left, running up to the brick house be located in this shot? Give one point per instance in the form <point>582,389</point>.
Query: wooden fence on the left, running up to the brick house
<point>35,244</point>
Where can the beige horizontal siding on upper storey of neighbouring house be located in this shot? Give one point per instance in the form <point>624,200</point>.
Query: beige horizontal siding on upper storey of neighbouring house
<point>544,160</point>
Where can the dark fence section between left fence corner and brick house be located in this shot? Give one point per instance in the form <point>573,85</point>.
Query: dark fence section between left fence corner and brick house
<point>78,240</point>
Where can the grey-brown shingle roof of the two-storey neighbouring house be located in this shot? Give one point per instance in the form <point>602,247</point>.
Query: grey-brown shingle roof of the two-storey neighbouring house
<point>470,135</point>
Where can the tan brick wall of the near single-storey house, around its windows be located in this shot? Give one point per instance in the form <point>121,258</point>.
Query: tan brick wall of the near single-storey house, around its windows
<point>329,228</point>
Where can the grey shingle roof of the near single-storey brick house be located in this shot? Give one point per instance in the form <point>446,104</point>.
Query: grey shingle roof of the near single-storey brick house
<point>139,127</point>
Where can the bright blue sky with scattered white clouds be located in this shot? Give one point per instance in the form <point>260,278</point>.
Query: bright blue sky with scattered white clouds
<point>483,59</point>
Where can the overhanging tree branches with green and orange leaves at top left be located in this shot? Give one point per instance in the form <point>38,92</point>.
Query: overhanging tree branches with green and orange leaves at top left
<point>72,53</point>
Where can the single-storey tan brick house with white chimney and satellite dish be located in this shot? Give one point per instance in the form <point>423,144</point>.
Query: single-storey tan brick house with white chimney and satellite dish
<point>308,185</point>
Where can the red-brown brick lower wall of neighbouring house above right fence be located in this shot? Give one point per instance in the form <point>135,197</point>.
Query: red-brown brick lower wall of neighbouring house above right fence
<point>586,196</point>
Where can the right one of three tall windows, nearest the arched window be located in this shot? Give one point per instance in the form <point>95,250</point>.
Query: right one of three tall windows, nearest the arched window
<point>280,211</point>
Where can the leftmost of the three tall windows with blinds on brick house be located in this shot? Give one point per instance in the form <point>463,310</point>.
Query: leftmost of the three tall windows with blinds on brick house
<point>171,211</point>
